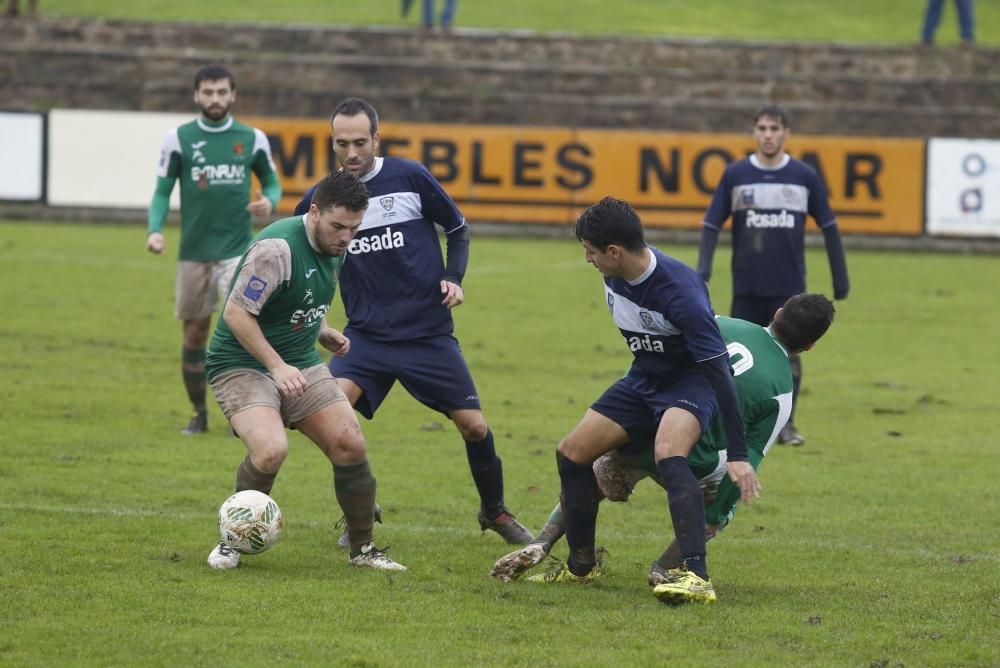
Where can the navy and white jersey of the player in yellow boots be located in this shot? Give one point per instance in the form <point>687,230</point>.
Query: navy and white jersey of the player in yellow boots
<point>665,316</point>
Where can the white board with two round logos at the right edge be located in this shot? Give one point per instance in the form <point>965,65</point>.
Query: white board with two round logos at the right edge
<point>963,187</point>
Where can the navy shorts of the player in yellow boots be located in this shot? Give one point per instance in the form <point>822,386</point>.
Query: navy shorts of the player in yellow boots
<point>637,402</point>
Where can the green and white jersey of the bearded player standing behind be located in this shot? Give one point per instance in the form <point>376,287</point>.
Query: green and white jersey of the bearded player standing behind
<point>214,162</point>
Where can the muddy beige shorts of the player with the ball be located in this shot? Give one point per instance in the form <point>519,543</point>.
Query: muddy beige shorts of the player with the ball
<point>240,389</point>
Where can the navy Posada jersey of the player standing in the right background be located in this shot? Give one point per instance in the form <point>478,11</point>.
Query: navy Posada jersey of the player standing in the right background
<point>769,208</point>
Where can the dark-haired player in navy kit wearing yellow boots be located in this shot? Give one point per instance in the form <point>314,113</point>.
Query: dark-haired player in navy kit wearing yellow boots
<point>679,377</point>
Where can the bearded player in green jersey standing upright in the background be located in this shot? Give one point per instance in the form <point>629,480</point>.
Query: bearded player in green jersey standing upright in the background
<point>213,157</point>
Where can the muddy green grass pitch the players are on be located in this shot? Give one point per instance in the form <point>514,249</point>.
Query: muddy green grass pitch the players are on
<point>873,545</point>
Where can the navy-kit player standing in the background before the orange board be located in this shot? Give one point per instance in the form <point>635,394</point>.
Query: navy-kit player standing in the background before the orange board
<point>769,196</point>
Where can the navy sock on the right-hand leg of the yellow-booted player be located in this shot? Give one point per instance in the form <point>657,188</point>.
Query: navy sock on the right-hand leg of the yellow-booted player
<point>687,511</point>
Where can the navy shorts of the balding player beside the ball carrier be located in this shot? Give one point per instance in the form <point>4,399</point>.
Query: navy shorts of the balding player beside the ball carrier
<point>432,370</point>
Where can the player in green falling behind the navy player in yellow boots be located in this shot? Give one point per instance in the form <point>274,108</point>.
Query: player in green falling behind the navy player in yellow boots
<point>760,361</point>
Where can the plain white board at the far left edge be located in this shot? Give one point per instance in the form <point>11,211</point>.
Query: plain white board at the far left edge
<point>21,153</point>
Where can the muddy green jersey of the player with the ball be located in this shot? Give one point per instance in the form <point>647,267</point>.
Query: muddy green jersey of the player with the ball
<point>288,285</point>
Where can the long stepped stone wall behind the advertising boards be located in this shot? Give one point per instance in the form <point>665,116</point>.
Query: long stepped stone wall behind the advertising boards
<point>477,76</point>
